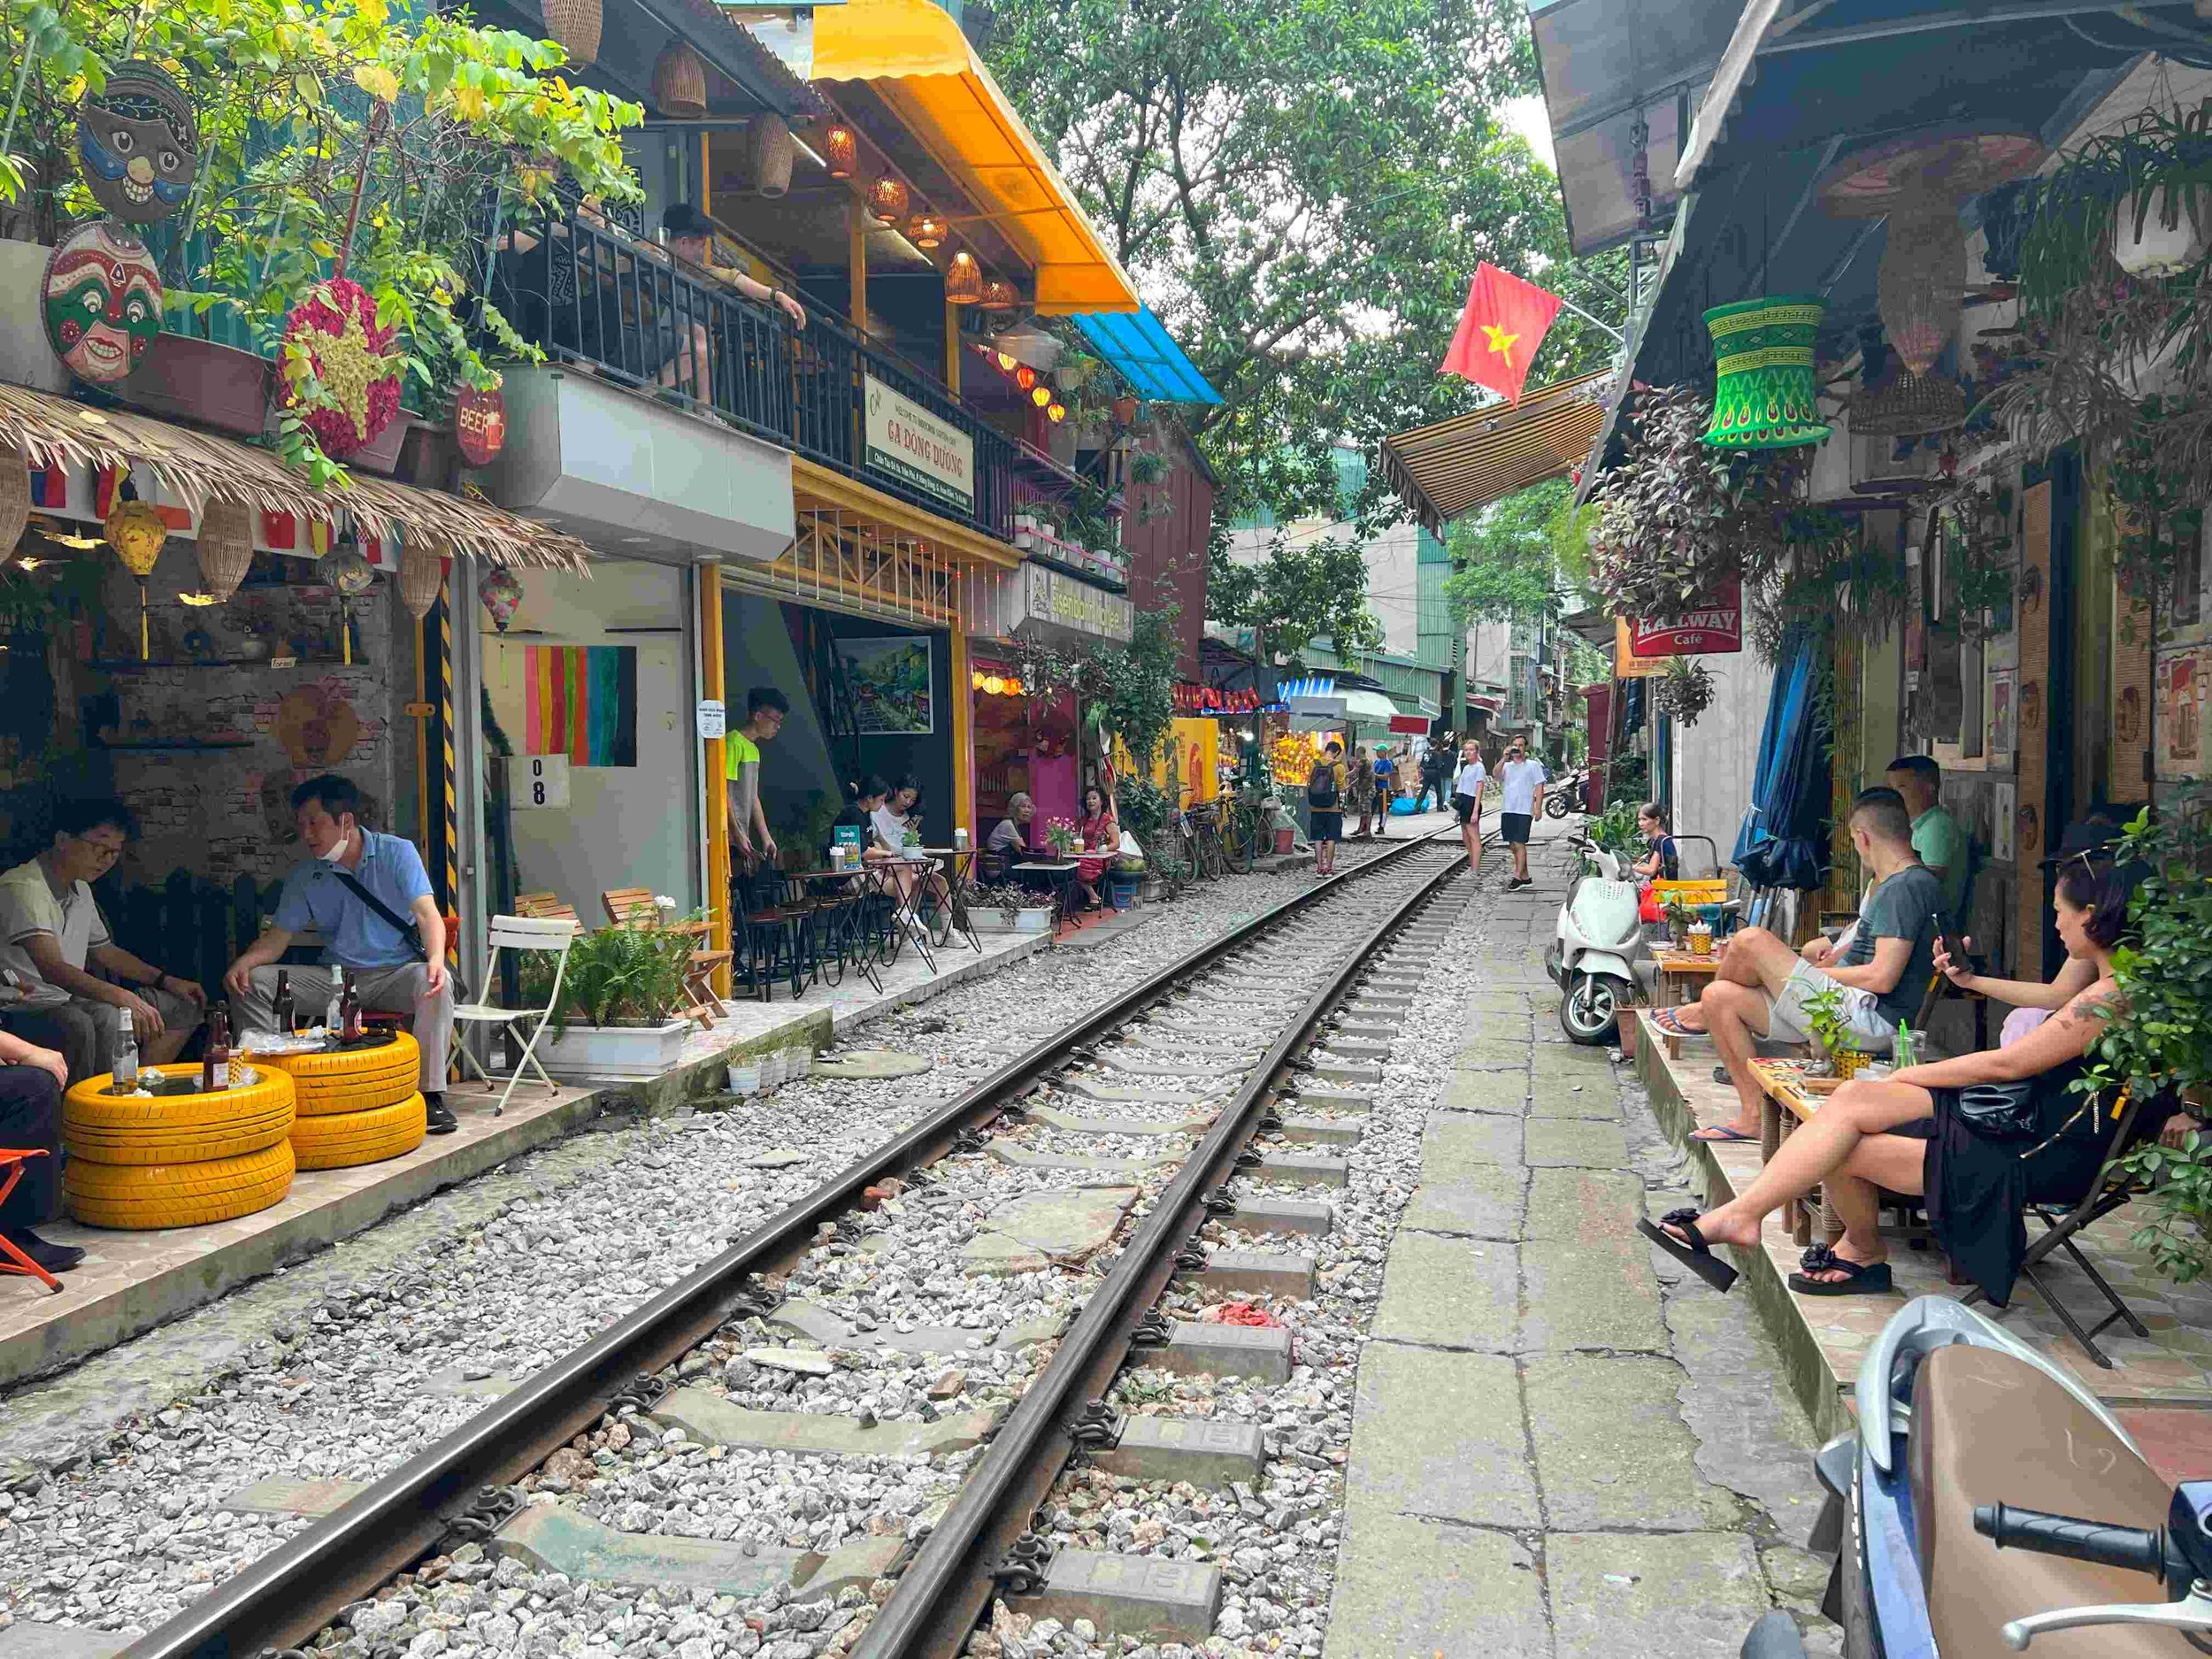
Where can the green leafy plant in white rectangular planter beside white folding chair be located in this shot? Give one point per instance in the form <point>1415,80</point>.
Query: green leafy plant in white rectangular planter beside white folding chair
<point>618,1003</point>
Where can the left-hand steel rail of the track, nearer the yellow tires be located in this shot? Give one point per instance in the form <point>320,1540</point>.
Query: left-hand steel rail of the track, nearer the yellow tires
<point>298,1589</point>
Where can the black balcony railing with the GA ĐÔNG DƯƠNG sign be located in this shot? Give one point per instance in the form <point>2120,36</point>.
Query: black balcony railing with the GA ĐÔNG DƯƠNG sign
<point>594,295</point>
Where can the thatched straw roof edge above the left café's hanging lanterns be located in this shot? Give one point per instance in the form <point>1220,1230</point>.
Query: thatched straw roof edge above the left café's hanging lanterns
<point>202,468</point>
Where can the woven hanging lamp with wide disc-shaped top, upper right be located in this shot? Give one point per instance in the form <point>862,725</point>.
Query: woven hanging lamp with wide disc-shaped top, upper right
<point>1921,182</point>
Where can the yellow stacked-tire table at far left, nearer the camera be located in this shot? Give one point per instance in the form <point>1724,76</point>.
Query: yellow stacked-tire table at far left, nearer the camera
<point>176,1160</point>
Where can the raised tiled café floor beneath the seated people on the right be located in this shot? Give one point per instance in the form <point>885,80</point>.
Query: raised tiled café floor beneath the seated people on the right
<point>2173,1366</point>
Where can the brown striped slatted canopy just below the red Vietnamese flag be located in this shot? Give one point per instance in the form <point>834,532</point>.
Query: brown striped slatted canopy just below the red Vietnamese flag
<point>1457,466</point>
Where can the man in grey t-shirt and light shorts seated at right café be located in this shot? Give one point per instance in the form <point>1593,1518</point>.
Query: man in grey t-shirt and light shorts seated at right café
<point>1881,968</point>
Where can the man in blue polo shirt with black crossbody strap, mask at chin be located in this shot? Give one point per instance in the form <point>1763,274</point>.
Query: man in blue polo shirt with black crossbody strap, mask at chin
<point>390,974</point>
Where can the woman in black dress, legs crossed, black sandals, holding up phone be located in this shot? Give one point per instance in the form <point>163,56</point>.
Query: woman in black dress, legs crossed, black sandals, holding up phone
<point>1908,1136</point>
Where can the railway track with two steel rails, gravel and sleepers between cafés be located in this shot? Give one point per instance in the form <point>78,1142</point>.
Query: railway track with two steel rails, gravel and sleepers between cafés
<point>1193,1061</point>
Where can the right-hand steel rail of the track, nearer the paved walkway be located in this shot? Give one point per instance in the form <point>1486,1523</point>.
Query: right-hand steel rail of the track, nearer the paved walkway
<point>946,1589</point>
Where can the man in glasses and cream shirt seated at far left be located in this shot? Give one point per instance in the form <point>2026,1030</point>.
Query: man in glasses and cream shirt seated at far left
<point>54,939</point>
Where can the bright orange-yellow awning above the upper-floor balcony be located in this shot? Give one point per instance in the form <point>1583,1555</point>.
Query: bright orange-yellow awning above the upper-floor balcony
<point>921,65</point>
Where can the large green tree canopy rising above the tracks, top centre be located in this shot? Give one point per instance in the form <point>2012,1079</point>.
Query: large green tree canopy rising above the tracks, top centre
<point>1304,194</point>
